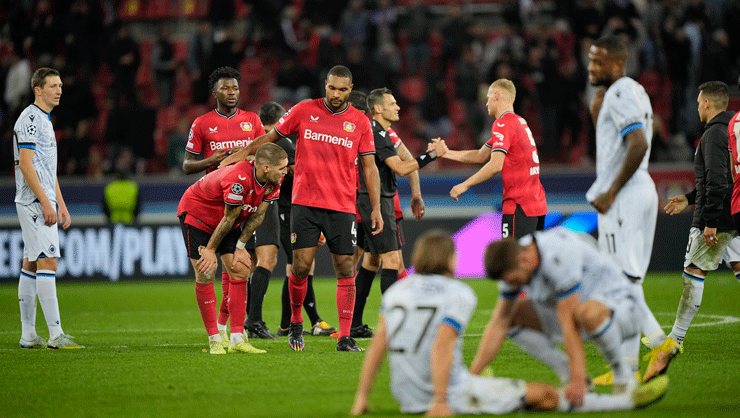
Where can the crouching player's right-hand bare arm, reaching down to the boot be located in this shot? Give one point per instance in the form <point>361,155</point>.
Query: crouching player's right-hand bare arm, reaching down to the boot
<point>574,349</point>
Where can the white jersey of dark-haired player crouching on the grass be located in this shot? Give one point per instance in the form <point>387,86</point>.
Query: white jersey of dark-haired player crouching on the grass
<point>569,263</point>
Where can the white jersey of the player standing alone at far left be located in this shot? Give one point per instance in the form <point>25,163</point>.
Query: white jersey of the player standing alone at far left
<point>33,130</point>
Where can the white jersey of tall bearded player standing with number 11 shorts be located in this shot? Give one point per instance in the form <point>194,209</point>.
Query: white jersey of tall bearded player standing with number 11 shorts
<point>626,107</point>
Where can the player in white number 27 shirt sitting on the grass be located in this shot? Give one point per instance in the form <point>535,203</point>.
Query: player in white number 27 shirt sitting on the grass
<point>421,325</point>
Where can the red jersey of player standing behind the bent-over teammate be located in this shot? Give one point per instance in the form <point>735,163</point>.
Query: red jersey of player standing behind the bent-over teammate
<point>214,131</point>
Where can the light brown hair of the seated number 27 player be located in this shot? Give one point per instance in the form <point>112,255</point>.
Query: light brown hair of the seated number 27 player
<point>432,252</point>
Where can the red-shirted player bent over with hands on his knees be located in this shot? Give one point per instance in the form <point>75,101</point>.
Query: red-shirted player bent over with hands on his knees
<point>243,192</point>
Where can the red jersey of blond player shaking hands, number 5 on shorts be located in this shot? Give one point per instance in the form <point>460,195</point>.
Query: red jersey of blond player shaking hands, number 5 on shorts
<point>520,174</point>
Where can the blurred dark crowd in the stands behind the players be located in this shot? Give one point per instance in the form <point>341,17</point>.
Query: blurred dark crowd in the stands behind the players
<point>135,71</point>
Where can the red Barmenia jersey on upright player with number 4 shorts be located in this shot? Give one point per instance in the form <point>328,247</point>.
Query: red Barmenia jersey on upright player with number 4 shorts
<point>326,153</point>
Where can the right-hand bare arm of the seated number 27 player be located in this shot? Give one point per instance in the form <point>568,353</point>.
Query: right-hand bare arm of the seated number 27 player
<point>441,357</point>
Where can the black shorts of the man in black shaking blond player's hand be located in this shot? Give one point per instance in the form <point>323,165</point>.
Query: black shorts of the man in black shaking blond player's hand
<point>388,239</point>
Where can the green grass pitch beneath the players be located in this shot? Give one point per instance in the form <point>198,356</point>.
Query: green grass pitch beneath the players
<point>144,357</point>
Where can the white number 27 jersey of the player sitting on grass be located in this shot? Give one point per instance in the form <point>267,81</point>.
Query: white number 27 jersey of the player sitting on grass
<point>414,308</point>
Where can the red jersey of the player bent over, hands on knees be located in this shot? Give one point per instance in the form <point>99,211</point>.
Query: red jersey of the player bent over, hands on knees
<point>233,185</point>
